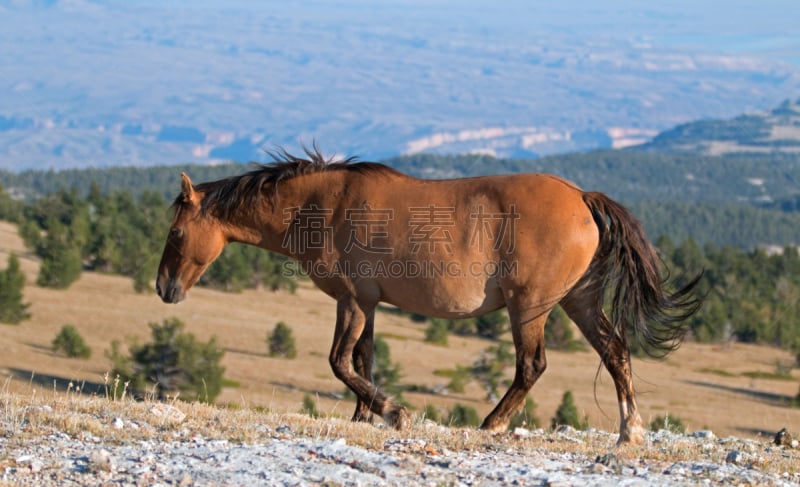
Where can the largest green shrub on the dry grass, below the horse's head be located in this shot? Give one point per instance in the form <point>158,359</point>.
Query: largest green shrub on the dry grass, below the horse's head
<point>174,362</point>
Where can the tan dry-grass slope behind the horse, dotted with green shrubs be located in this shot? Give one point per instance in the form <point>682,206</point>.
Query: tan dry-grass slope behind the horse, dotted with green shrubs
<point>703,385</point>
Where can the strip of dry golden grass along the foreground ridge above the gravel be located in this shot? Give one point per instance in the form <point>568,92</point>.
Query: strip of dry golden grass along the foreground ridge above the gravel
<point>27,417</point>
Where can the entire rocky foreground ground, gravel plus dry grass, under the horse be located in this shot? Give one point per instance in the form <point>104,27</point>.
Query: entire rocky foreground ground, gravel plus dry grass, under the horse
<point>162,447</point>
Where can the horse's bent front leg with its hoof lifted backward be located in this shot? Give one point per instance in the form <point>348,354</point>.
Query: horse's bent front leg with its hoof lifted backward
<point>351,321</point>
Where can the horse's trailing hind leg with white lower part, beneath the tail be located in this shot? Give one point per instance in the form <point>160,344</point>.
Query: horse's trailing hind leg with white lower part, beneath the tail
<point>584,306</point>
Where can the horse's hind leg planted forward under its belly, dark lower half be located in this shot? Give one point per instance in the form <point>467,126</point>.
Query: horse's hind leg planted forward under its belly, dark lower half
<point>530,364</point>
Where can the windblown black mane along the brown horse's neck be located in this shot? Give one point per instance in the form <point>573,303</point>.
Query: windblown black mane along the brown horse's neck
<point>227,195</point>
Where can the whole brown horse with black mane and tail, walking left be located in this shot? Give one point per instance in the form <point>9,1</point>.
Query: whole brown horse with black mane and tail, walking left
<point>456,248</point>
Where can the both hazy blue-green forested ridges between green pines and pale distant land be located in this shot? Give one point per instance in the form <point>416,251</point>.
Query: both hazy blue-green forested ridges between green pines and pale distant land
<point>739,200</point>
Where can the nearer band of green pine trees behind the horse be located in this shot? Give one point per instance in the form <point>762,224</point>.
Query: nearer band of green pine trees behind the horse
<point>750,295</point>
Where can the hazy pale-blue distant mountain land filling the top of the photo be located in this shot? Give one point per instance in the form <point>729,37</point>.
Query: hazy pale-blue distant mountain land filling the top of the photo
<point>93,83</point>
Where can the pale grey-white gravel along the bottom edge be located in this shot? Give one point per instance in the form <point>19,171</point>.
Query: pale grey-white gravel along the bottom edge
<point>286,458</point>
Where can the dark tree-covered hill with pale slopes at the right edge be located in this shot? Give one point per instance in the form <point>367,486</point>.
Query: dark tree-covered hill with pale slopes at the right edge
<point>777,130</point>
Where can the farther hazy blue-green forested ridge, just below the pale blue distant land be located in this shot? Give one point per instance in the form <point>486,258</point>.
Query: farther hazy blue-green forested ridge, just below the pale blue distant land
<point>627,175</point>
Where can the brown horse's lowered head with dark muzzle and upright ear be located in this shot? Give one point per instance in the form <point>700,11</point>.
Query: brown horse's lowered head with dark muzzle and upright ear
<point>194,241</point>
